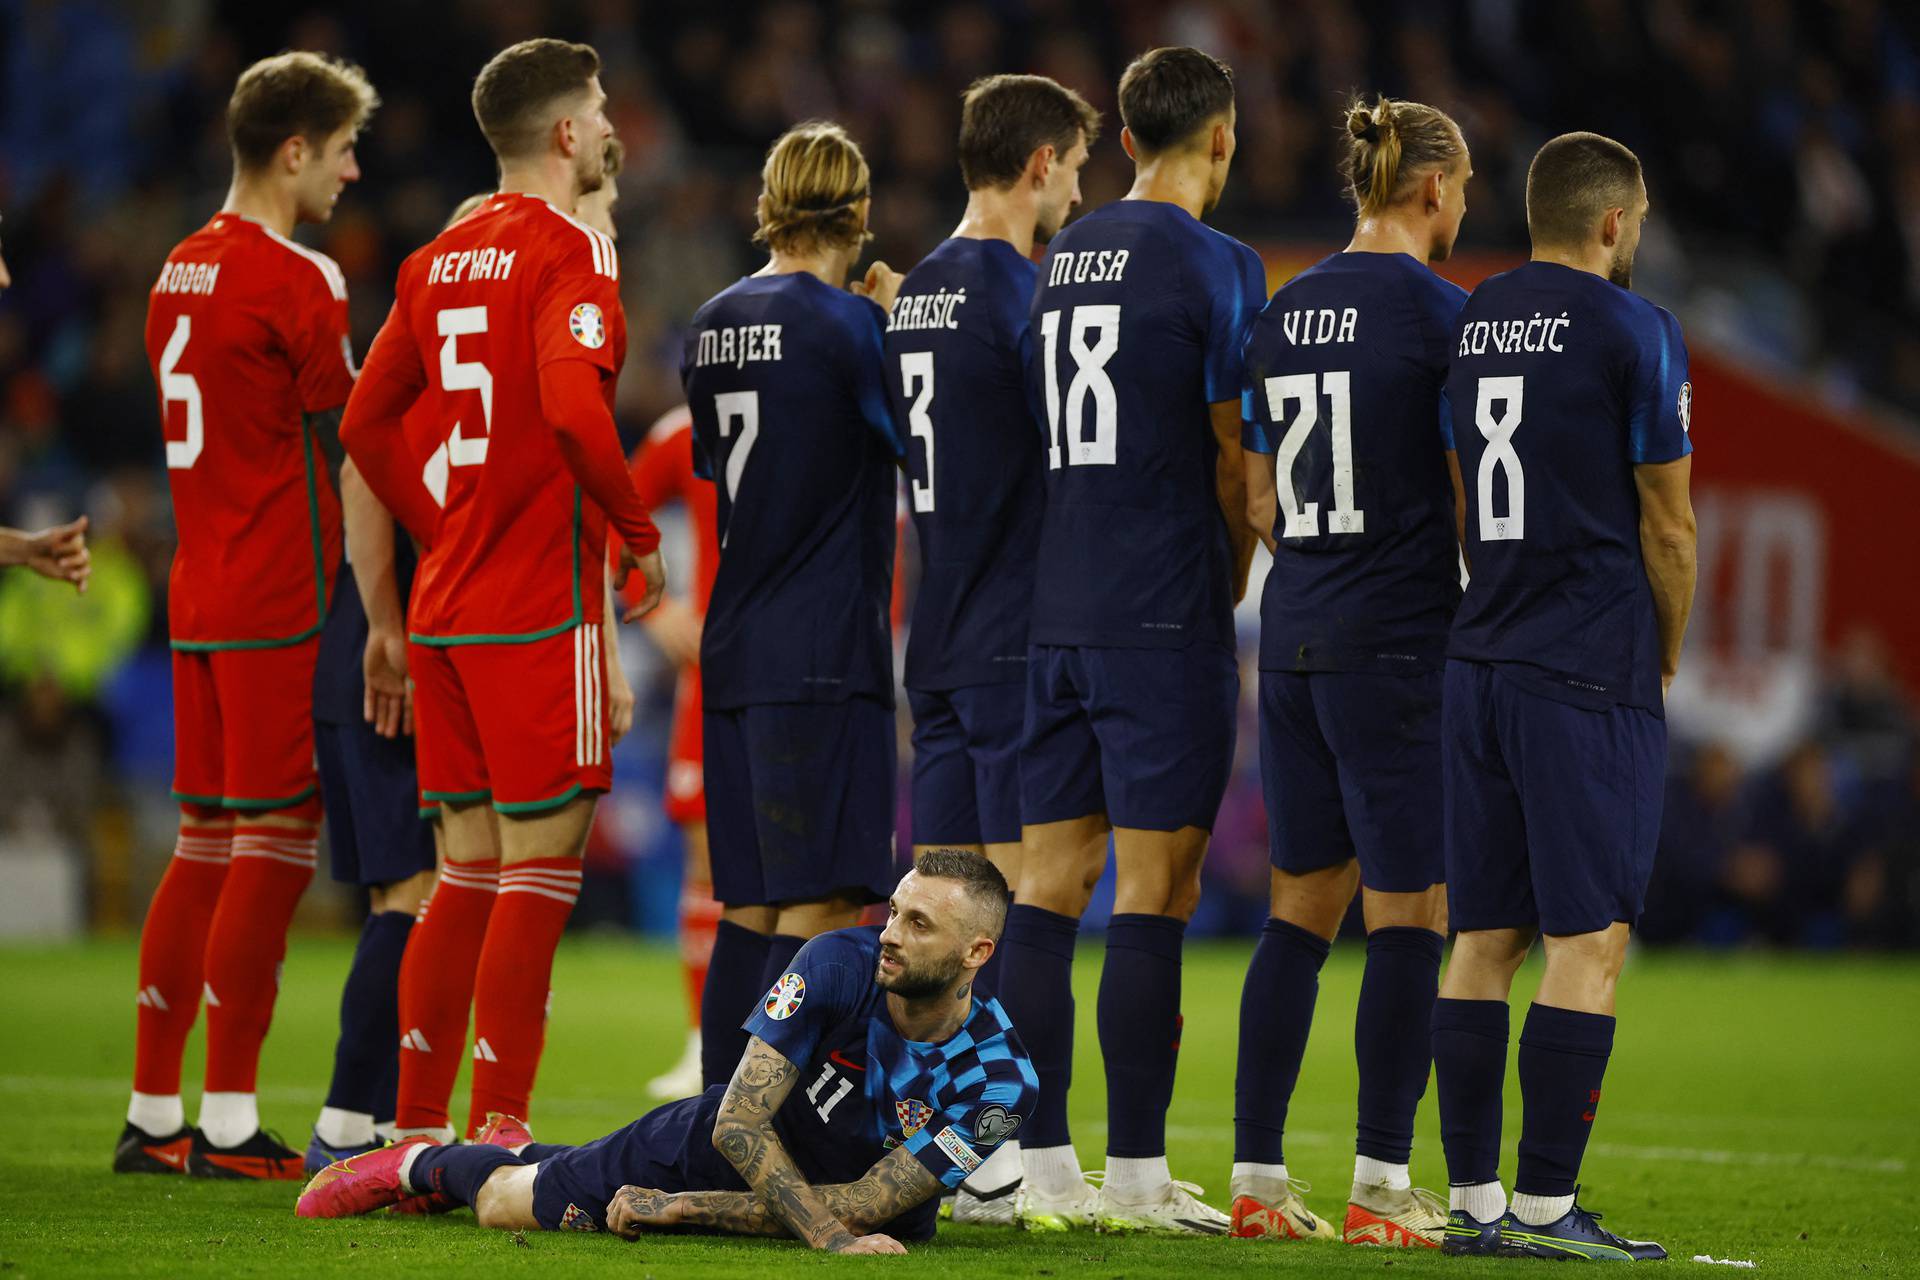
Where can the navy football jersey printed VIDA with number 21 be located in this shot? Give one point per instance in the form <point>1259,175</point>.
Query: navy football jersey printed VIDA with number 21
<point>1345,373</point>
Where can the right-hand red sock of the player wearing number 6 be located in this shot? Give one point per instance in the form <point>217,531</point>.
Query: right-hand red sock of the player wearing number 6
<point>247,943</point>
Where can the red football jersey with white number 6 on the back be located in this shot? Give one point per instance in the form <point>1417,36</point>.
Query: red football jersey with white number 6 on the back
<point>247,333</point>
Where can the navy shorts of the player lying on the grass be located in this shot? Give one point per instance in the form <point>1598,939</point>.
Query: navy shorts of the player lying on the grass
<point>669,1149</point>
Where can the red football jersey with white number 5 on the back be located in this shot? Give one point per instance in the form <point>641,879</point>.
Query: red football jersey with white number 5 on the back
<point>519,548</point>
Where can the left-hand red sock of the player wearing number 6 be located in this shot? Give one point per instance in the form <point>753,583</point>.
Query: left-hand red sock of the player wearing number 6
<point>174,945</point>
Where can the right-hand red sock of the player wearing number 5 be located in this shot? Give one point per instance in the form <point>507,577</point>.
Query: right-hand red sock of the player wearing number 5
<point>514,984</point>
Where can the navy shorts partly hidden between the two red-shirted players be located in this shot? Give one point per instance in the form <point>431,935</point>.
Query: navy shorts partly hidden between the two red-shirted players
<point>375,834</point>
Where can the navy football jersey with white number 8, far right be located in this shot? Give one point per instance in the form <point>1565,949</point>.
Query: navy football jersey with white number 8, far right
<point>1562,385</point>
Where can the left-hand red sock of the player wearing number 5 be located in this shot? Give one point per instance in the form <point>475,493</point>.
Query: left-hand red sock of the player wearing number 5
<point>437,987</point>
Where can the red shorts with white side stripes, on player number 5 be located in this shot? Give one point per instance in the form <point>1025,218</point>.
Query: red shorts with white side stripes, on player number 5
<point>521,726</point>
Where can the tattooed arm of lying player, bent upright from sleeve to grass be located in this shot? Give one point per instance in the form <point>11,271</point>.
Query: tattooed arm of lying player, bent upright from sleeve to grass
<point>744,1135</point>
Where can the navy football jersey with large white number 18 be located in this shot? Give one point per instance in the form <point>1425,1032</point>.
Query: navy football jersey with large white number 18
<point>1138,327</point>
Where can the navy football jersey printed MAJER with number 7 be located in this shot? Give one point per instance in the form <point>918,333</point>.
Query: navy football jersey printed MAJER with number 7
<point>784,377</point>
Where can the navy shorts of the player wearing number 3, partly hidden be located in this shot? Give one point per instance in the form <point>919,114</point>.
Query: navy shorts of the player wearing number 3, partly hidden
<point>967,765</point>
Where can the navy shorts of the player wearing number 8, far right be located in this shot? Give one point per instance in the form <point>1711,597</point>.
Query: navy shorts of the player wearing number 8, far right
<point>1552,811</point>
